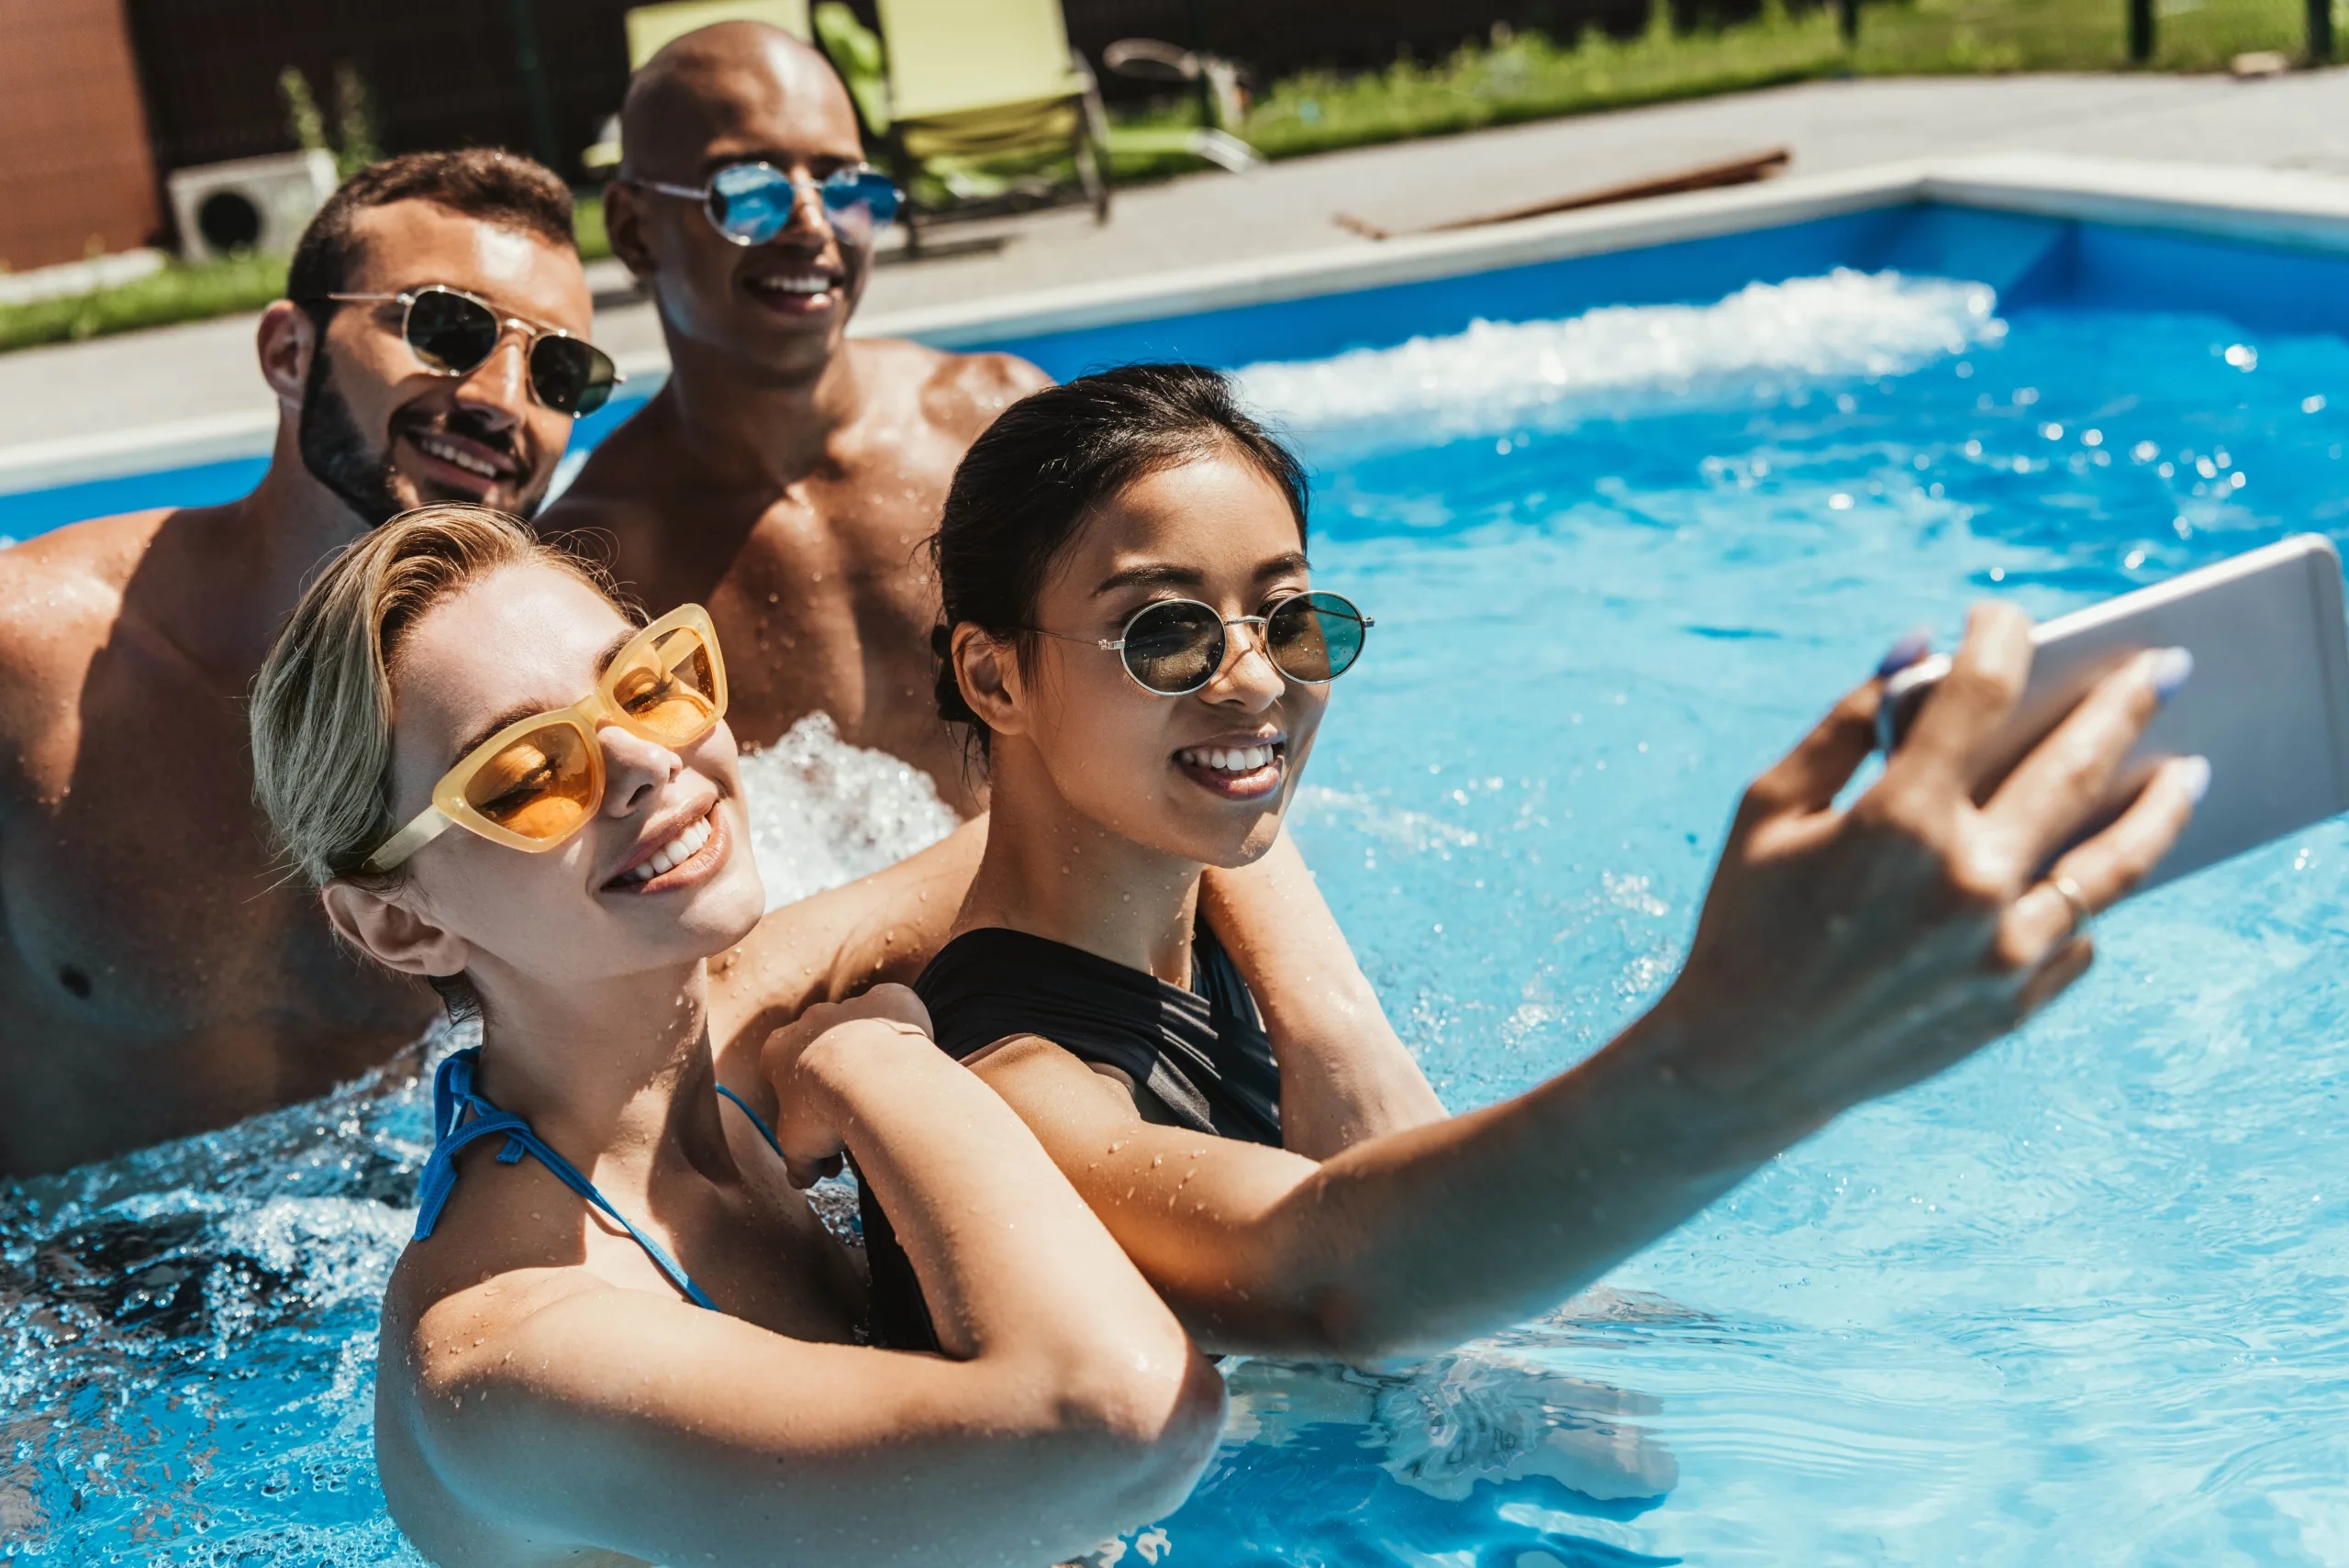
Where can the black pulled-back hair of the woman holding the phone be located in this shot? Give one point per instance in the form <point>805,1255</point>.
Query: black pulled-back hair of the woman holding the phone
<point>1049,461</point>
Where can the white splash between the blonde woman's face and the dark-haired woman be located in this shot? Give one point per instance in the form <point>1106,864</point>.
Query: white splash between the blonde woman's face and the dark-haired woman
<point>826,813</point>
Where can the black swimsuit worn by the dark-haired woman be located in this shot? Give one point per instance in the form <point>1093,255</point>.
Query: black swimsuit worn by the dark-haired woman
<point>1202,1053</point>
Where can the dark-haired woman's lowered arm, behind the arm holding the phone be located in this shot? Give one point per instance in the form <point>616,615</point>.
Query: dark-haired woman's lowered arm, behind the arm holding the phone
<point>1345,1076</point>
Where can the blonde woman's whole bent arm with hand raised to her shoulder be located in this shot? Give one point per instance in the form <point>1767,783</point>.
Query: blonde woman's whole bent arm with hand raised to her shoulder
<point>1070,1405</point>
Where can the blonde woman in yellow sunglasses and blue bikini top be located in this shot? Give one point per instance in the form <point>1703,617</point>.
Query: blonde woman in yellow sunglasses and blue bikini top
<point>621,1327</point>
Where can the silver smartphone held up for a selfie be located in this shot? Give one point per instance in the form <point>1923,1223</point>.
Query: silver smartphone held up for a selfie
<point>2268,701</point>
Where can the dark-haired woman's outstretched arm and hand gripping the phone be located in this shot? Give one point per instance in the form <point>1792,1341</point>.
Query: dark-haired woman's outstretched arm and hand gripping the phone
<point>1843,954</point>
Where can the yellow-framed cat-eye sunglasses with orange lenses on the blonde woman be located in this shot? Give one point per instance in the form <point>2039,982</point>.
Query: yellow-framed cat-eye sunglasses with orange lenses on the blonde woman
<point>539,780</point>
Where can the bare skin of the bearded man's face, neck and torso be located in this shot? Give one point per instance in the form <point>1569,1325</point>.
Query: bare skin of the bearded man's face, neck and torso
<point>159,971</point>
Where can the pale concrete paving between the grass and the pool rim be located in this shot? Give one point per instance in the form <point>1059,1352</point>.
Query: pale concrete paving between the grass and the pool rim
<point>114,388</point>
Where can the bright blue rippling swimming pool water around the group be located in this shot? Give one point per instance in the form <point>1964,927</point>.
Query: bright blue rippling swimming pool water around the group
<point>2085,1299</point>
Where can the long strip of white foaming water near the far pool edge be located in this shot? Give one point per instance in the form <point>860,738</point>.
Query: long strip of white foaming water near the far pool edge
<point>1622,358</point>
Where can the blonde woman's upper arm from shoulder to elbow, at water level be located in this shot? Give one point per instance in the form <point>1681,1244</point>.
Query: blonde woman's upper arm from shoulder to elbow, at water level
<point>614,1421</point>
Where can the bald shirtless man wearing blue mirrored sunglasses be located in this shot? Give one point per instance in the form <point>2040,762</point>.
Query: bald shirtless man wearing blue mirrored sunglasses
<point>786,475</point>
